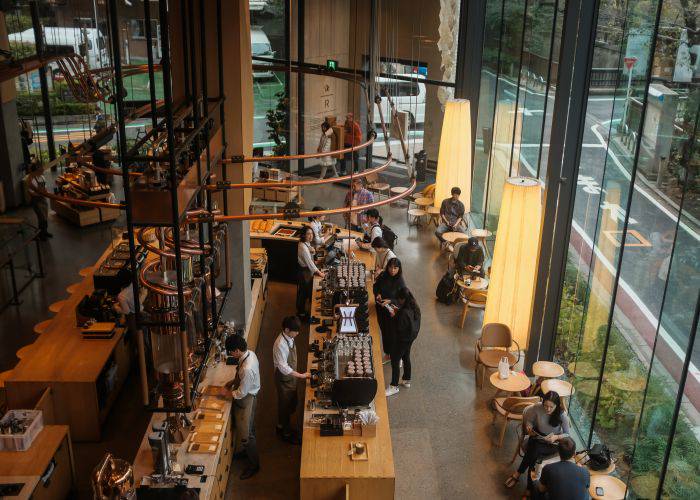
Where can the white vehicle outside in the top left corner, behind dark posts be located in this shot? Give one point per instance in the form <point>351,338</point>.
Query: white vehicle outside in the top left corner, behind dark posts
<point>87,42</point>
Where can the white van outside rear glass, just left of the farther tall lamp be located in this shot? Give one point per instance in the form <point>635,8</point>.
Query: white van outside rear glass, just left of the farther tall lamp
<point>407,96</point>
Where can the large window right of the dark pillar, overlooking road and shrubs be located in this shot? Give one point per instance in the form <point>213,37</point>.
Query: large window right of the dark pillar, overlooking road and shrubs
<point>632,280</point>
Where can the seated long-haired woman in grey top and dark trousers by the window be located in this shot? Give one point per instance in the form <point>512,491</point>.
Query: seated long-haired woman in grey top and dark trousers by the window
<point>545,423</point>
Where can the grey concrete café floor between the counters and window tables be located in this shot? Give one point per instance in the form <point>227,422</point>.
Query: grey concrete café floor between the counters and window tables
<point>441,428</point>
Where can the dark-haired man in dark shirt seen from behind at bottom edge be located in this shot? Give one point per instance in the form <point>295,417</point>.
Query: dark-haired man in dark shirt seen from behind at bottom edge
<point>564,480</point>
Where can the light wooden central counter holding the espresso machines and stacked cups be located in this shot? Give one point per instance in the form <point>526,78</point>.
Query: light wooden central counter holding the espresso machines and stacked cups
<point>326,469</point>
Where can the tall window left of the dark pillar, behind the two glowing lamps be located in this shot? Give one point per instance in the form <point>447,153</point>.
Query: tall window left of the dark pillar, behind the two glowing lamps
<point>518,78</point>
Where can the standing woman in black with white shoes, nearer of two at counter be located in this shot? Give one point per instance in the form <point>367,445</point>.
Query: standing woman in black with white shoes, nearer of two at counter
<point>406,325</point>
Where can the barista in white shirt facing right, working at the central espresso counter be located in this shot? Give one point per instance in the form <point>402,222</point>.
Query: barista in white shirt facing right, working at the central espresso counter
<point>284,355</point>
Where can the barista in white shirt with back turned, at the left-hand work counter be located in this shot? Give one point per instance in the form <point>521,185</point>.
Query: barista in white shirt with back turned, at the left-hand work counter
<point>244,390</point>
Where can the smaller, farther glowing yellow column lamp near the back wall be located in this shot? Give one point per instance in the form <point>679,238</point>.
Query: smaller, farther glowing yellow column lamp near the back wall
<point>455,155</point>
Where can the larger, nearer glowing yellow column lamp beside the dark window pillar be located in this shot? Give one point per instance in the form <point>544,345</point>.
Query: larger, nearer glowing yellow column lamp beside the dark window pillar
<point>514,266</point>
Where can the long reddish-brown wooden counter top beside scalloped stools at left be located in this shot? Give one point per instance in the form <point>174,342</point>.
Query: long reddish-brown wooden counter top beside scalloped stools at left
<point>60,354</point>
